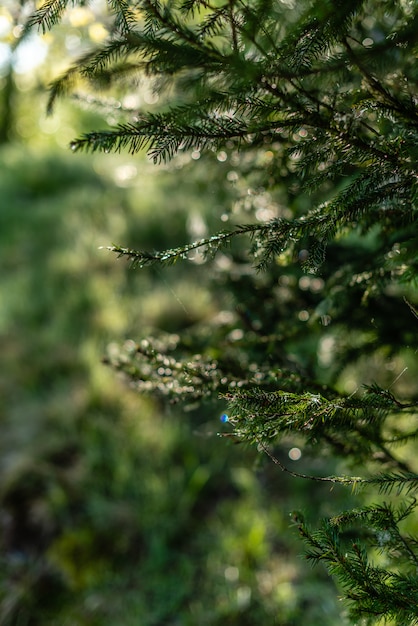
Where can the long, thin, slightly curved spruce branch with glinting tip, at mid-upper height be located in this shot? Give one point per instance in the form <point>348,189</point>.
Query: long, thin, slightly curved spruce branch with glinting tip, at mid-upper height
<point>274,237</point>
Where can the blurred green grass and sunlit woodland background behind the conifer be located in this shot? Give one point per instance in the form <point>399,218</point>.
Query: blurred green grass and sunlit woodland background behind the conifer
<point>113,509</point>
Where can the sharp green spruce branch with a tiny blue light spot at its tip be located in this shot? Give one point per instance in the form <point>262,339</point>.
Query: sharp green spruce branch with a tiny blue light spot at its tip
<point>350,426</point>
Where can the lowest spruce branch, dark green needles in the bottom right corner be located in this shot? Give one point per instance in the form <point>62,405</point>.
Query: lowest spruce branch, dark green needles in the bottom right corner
<point>388,589</point>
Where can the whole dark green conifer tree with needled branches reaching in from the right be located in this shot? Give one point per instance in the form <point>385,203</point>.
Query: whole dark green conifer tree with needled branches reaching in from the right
<point>315,105</point>
